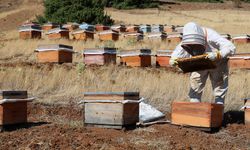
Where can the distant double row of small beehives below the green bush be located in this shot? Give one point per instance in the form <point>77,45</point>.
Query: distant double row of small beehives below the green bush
<point>166,33</point>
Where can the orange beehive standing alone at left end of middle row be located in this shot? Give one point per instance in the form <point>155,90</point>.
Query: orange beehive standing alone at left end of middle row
<point>54,53</point>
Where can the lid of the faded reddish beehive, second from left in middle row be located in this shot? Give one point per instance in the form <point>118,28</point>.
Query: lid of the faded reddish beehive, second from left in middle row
<point>104,50</point>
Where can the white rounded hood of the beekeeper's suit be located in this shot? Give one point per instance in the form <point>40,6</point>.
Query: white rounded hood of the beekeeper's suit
<point>193,34</point>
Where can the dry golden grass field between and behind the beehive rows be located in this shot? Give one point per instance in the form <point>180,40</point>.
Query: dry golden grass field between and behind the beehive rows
<point>67,82</point>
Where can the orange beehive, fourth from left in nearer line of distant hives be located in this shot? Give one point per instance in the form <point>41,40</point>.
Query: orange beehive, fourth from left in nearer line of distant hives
<point>108,35</point>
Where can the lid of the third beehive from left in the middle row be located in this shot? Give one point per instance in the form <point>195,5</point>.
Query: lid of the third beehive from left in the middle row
<point>135,52</point>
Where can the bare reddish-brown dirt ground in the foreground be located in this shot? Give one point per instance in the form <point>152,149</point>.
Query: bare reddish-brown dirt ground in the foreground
<point>61,127</point>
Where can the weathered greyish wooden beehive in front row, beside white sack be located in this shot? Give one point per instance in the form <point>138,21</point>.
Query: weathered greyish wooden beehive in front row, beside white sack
<point>111,109</point>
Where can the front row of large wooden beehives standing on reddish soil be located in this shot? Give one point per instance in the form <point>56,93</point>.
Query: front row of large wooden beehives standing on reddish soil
<point>118,110</point>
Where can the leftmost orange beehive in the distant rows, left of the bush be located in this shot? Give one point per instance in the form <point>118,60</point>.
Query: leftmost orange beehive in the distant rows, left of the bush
<point>30,32</point>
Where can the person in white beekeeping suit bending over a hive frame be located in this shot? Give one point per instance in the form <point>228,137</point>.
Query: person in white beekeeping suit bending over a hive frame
<point>198,40</point>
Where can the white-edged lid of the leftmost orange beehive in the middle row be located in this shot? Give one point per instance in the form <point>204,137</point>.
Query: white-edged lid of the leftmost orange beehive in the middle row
<point>54,47</point>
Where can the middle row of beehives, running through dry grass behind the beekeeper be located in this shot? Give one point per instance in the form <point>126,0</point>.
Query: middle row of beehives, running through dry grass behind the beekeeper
<point>58,53</point>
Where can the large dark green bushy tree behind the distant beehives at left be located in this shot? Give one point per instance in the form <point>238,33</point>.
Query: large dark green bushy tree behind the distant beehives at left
<point>89,11</point>
